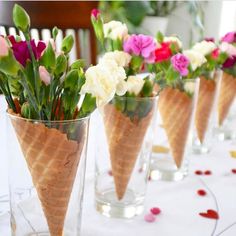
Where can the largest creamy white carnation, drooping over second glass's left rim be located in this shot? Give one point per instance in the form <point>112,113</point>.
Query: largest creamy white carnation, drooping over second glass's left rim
<point>103,81</point>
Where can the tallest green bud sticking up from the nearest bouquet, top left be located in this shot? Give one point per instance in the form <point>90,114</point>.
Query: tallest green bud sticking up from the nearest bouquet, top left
<point>21,19</point>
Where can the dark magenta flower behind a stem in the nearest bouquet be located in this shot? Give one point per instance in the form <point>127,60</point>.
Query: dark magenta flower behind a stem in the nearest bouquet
<point>21,51</point>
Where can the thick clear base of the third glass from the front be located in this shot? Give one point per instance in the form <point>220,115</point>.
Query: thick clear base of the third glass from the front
<point>166,170</point>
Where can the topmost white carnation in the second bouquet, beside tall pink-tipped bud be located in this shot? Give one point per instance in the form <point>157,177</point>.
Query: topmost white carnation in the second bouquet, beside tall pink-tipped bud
<point>115,30</point>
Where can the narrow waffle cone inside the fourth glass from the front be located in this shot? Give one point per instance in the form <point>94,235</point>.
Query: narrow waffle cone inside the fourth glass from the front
<point>206,96</point>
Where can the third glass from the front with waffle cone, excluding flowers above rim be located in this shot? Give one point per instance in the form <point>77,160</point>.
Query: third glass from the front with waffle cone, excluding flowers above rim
<point>173,133</point>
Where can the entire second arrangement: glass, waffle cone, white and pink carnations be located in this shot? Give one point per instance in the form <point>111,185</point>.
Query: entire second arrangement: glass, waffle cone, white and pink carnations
<point>127,119</point>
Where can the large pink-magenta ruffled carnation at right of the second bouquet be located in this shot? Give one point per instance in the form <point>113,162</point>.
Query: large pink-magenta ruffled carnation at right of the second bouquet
<point>141,45</point>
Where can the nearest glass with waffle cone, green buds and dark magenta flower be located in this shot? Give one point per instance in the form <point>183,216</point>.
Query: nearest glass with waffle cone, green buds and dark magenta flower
<point>49,111</point>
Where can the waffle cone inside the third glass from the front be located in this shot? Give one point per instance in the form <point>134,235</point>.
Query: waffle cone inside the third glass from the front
<point>175,109</point>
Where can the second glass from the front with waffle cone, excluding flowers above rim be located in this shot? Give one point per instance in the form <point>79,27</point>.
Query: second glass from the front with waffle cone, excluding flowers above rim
<point>124,142</point>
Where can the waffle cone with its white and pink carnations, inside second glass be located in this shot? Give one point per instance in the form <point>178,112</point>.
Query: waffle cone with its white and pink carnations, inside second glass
<point>127,116</point>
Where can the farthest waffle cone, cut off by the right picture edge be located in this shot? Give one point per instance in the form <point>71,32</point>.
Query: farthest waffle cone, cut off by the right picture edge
<point>226,96</point>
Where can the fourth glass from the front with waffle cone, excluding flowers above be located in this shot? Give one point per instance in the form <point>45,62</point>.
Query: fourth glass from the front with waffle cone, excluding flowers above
<point>205,120</point>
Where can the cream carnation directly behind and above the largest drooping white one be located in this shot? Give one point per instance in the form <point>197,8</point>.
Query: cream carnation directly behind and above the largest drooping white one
<point>120,57</point>
